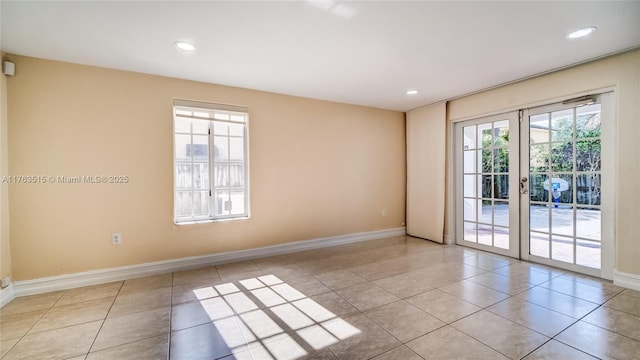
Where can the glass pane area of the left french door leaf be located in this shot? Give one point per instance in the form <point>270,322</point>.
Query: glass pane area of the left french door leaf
<point>484,153</point>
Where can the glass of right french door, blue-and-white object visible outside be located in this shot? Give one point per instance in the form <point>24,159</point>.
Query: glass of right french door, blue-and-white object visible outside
<point>564,173</point>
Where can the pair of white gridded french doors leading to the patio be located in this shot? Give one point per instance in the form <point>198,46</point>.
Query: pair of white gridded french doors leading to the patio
<point>537,184</point>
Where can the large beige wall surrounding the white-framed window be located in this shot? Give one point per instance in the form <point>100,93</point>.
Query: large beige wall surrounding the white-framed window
<point>318,169</point>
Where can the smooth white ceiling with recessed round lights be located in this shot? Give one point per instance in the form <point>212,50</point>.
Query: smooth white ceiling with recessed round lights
<point>357,52</point>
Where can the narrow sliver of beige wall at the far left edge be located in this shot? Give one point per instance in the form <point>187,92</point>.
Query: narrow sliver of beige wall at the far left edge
<point>5,248</point>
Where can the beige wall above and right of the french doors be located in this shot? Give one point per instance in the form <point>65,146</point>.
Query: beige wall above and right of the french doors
<point>621,72</point>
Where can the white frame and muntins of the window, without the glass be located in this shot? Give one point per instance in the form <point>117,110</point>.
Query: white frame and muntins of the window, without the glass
<point>216,206</point>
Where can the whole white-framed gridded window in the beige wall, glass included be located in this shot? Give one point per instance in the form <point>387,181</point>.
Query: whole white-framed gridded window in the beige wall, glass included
<point>210,162</point>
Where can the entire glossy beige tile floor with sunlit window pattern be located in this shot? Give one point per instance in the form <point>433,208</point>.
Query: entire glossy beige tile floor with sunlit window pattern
<point>397,298</point>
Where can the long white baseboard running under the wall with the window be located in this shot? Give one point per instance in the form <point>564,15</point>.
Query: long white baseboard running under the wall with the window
<point>94,277</point>
